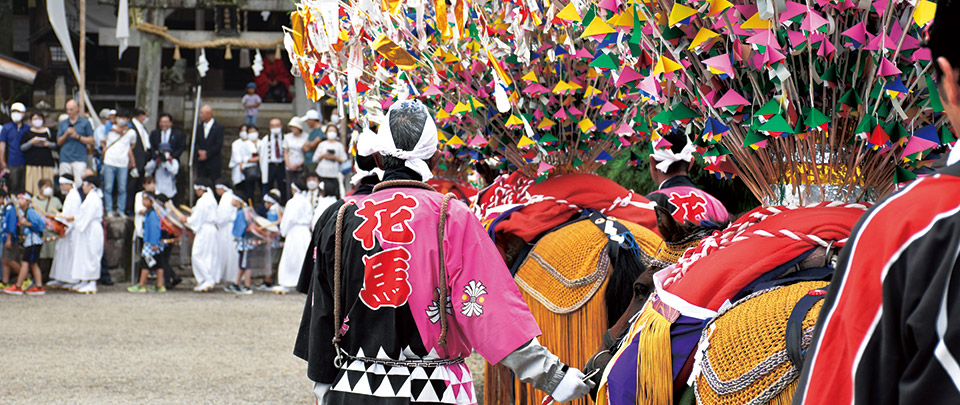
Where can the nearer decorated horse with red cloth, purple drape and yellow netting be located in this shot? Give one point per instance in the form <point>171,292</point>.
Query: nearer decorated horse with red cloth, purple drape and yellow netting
<point>730,321</point>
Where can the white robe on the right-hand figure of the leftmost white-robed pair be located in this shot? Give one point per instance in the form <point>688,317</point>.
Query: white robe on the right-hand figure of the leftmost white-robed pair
<point>87,238</point>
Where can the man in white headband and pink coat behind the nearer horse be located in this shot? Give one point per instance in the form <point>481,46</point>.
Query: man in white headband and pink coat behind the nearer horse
<point>676,192</point>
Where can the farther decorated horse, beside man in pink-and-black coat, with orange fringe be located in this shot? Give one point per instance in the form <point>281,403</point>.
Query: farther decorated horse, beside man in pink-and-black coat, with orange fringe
<point>575,245</point>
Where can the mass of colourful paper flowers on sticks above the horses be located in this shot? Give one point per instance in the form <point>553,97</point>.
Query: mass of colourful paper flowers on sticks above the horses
<point>802,101</point>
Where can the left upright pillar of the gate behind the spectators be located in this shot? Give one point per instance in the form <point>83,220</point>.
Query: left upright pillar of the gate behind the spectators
<point>149,64</point>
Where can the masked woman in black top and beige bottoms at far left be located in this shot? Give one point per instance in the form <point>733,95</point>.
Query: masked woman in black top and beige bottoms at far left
<point>37,146</point>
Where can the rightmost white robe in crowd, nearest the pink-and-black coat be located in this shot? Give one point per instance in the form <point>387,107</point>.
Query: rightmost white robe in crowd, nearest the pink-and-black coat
<point>295,227</point>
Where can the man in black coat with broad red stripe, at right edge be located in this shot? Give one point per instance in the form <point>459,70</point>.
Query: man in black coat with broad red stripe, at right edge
<point>889,329</point>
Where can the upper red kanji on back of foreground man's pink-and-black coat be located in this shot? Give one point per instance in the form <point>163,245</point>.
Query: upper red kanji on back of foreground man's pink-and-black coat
<point>390,218</point>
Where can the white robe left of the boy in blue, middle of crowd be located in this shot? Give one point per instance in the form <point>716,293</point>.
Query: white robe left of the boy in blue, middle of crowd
<point>206,249</point>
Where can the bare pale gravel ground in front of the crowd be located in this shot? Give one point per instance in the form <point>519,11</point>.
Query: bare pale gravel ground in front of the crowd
<point>180,347</point>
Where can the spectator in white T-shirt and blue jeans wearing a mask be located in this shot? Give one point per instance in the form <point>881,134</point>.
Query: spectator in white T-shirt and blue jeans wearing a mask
<point>118,159</point>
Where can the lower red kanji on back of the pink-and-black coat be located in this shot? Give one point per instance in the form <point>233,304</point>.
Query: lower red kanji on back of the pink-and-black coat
<point>385,278</point>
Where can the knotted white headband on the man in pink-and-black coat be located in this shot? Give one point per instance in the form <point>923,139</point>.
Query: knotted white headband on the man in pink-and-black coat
<point>426,145</point>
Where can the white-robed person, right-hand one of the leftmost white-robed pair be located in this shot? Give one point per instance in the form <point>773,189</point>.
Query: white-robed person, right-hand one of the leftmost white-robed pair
<point>88,237</point>
